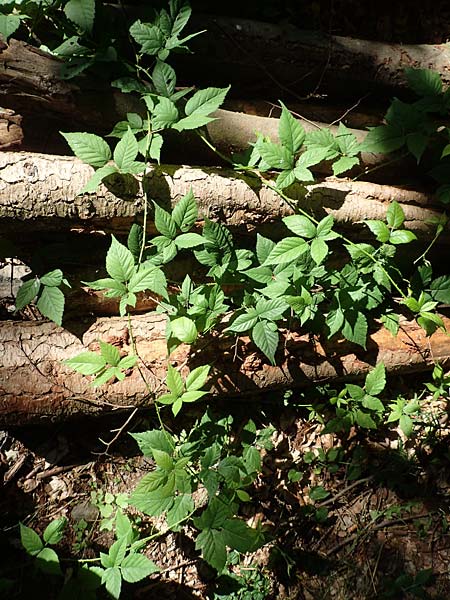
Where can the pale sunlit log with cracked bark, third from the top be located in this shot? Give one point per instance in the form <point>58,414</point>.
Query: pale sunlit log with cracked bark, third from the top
<point>40,192</point>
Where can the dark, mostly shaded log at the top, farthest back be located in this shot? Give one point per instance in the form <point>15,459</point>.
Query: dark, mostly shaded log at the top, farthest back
<point>268,60</point>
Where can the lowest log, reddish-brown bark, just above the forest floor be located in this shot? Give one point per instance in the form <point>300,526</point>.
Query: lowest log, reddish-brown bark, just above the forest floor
<point>35,385</point>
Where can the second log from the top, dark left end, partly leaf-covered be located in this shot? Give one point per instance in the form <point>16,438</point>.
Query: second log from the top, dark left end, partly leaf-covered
<point>30,83</point>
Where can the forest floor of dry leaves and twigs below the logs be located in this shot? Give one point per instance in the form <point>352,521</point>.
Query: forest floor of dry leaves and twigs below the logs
<point>377,528</point>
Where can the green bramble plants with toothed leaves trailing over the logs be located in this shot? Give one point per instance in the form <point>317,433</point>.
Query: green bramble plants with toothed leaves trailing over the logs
<point>313,280</point>
